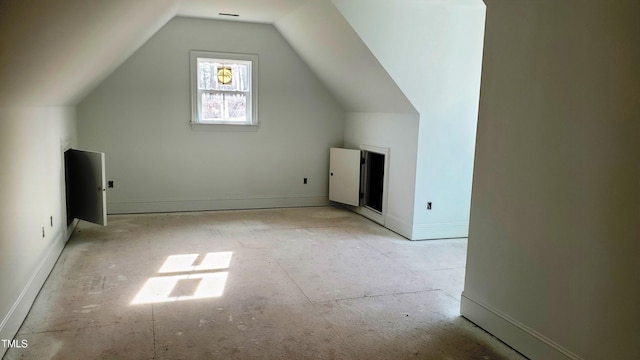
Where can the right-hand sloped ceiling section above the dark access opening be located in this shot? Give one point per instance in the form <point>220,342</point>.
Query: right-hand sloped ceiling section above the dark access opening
<point>327,43</point>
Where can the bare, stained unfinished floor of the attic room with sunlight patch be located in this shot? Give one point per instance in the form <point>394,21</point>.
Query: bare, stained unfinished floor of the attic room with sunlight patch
<point>316,283</point>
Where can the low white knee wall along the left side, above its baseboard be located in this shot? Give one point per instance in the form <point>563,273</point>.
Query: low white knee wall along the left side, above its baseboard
<point>32,142</point>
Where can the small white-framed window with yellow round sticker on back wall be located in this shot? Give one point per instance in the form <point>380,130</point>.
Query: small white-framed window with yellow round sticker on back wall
<point>223,89</point>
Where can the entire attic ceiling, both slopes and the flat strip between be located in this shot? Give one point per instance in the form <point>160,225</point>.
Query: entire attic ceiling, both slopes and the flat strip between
<point>54,53</point>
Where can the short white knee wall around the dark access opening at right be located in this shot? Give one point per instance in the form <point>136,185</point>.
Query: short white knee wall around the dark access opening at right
<point>399,133</point>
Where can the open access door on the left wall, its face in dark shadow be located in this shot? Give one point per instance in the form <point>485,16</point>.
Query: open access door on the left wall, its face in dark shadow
<point>85,186</point>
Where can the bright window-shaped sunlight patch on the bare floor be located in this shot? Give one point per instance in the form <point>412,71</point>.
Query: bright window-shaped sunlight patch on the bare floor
<point>198,281</point>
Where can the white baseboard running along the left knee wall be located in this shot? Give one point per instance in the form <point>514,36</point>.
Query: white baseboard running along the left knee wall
<point>18,312</point>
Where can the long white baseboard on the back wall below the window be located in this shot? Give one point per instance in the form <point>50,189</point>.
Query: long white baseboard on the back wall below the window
<point>135,207</point>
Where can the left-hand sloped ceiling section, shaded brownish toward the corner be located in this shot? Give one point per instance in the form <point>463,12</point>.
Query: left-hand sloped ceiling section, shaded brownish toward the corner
<point>55,52</point>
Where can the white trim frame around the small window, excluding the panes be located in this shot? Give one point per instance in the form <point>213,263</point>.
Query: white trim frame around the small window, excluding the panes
<point>223,125</point>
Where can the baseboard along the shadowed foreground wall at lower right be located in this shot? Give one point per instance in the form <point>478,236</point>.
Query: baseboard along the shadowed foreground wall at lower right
<point>515,334</point>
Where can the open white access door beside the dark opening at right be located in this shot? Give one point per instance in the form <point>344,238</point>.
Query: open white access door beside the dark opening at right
<point>344,176</point>
